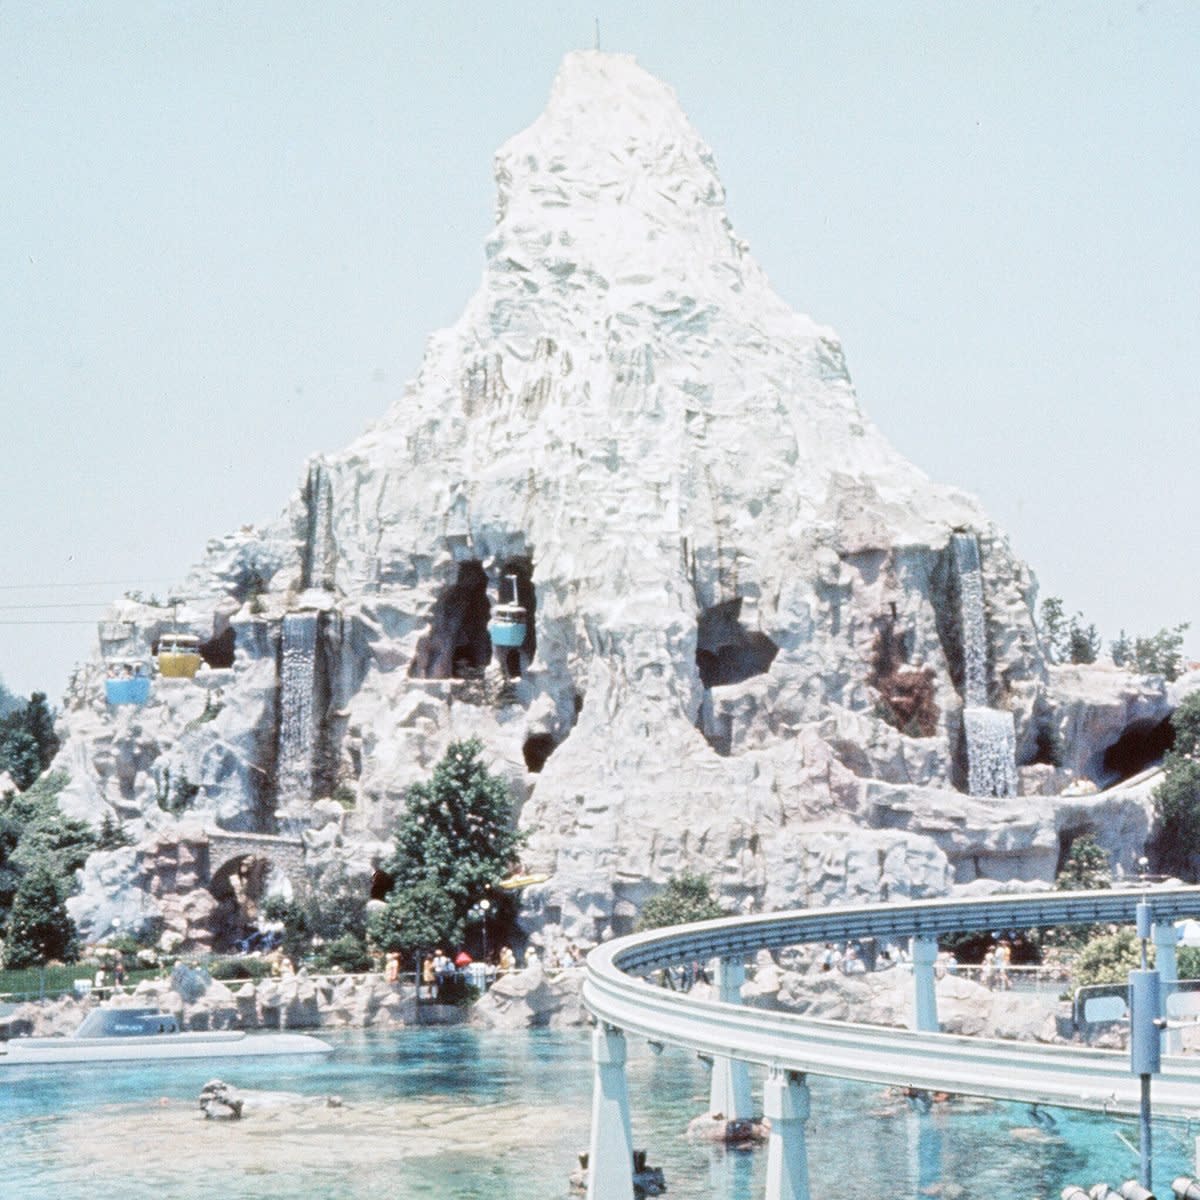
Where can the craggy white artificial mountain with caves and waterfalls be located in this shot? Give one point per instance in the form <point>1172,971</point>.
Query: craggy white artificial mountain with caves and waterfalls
<point>632,530</point>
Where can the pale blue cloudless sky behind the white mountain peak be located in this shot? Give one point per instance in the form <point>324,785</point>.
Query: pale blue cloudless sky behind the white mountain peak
<point>227,229</point>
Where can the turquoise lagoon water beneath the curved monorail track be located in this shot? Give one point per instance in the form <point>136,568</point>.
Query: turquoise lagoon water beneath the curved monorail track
<point>469,1115</point>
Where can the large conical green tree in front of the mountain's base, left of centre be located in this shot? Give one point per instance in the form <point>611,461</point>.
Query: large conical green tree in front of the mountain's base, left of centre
<point>453,845</point>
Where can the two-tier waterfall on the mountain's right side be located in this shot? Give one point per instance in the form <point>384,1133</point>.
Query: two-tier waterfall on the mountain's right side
<point>991,734</point>
